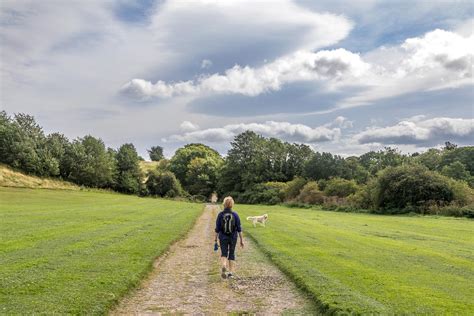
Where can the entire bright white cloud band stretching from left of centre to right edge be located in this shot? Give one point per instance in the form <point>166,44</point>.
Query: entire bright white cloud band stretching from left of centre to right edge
<point>439,59</point>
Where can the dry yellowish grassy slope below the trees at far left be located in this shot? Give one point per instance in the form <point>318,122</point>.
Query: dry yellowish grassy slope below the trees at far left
<point>11,178</point>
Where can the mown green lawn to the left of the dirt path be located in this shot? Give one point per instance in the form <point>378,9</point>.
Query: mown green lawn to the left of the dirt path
<point>79,252</point>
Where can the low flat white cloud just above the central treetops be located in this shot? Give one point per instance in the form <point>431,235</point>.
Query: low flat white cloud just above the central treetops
<point>284,130</point>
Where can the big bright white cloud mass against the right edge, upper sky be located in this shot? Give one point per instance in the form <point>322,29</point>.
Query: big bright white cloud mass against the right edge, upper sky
<point>439,59</point>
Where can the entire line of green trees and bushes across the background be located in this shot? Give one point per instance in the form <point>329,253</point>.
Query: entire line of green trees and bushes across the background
<point>256,169</point>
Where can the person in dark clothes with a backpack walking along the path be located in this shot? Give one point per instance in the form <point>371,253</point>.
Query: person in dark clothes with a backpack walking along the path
<point>227,229</point>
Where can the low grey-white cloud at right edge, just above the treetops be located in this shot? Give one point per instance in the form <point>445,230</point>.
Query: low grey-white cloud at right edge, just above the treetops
<point>418,130</point>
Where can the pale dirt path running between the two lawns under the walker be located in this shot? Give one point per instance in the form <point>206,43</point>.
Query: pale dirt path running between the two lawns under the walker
<point>187,280</point>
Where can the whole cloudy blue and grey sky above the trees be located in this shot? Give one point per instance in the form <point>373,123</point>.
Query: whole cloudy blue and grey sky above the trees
<point>341,76</point>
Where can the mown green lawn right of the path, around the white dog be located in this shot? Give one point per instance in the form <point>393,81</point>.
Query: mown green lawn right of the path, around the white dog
<point>365,263</point>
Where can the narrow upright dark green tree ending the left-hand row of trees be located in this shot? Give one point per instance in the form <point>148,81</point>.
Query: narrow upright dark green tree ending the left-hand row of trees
<point>129,177</point>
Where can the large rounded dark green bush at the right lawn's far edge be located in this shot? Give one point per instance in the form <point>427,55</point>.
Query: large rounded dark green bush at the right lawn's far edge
<point>411,188</point>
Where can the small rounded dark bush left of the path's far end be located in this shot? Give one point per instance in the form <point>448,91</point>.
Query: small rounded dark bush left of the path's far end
<point>163,184</point>
